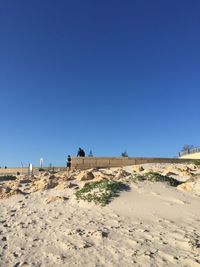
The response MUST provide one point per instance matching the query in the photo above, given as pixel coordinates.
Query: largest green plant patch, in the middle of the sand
(101, 192)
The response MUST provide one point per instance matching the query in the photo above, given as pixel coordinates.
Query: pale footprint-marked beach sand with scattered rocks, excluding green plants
(148, 224)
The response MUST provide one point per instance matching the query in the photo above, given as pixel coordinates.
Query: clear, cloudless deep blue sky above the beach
(104, 75)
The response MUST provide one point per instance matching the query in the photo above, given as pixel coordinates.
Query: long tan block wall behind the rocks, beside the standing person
(86, 163)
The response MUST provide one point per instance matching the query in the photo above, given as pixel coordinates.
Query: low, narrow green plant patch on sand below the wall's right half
(156, 177)
